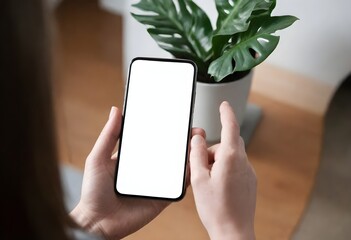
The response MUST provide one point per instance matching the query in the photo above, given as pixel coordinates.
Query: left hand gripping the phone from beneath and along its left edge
(99, 210)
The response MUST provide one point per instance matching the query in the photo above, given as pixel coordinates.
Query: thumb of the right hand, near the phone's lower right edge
(199, 167)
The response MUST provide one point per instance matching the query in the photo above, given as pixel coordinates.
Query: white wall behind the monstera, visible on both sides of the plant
(318, 45)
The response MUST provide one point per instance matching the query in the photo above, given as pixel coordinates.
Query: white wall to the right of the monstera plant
(319, 45)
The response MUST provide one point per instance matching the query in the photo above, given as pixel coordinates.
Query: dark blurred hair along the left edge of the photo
(31, 195)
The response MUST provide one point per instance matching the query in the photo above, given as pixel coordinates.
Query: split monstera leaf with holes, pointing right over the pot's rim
(252, 48)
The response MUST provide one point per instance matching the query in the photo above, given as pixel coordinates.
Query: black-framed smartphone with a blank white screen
(156, 128)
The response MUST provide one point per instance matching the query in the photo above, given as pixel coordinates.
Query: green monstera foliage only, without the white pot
(244, 35)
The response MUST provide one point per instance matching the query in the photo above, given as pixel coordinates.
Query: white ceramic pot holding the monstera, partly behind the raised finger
(209, 96)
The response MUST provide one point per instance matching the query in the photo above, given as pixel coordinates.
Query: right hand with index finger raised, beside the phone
(224, 182)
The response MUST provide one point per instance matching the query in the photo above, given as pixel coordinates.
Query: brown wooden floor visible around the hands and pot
(284, 150)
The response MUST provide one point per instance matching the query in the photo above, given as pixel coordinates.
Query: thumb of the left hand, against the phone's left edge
(108, 138)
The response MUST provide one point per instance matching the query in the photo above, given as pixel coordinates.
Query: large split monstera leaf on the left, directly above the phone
(185, 32)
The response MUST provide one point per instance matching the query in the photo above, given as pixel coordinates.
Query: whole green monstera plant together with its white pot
(243, 37)
